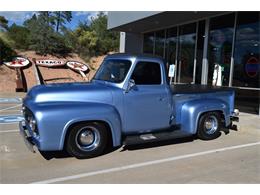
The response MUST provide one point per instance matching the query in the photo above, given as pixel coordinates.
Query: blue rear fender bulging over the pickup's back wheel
(192, 110)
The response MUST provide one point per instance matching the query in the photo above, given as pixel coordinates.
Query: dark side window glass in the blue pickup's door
(147, 73)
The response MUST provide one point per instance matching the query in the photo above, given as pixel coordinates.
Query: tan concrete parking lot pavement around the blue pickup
(232, 158)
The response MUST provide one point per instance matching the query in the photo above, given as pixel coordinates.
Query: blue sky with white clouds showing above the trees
(19, 17)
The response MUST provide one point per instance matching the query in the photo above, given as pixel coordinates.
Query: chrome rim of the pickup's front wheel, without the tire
(87, 138)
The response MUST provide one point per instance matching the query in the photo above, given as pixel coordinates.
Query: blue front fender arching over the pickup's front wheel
(54, 120)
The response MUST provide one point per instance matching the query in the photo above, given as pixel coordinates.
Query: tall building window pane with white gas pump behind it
(220, 48)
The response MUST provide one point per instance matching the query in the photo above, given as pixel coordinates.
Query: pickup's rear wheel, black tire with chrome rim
(209, 126)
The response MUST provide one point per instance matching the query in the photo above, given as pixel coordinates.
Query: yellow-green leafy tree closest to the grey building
(92, 39)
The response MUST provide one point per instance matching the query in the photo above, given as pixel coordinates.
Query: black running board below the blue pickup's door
(153, 137)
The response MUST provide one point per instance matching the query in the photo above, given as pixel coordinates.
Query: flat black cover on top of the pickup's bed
(191, 88)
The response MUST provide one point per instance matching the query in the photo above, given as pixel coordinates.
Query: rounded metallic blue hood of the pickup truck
(72, 92)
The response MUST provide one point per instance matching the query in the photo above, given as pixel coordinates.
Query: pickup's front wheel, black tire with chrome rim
(87, 140)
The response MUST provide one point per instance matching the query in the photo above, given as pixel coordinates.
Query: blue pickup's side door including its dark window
(147, 104)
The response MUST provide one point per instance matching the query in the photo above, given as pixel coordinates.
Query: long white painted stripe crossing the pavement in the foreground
(138, 165)
